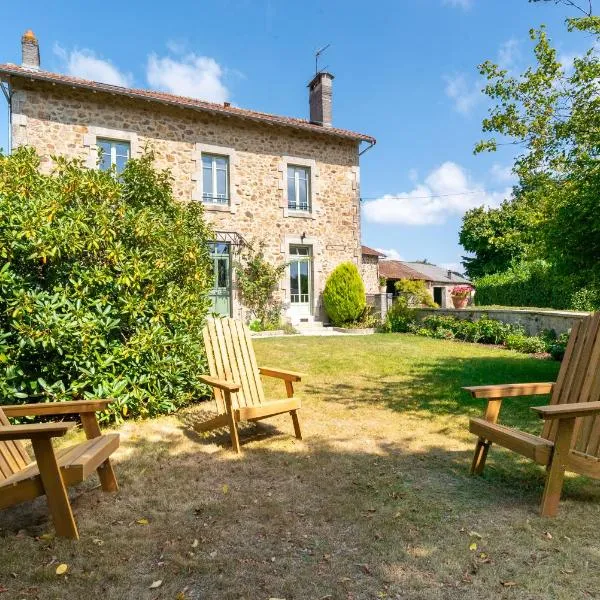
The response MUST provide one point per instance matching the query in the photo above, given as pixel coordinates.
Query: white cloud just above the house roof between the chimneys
(188, 75)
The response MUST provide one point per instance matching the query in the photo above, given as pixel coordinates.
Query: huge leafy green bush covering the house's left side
(103, 286)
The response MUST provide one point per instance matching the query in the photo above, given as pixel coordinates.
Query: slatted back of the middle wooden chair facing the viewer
(231, 357)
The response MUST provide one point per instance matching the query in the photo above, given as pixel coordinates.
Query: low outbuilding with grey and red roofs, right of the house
(439, 281)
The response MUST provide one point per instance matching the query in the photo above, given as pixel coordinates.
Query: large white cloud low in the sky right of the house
(447, 191)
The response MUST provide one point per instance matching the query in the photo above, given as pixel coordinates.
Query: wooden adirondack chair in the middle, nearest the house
(235, 379)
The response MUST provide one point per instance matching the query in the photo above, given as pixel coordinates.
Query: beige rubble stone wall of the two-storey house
(64, 121)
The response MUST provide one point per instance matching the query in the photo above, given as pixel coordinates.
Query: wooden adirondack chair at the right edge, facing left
(570, 439)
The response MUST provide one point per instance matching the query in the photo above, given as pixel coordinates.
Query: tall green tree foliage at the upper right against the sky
(551, 113)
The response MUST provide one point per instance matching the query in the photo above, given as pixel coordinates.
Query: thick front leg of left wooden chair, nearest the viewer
(54, 487)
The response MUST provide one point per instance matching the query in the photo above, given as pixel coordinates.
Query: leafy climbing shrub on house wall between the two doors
(257, 279)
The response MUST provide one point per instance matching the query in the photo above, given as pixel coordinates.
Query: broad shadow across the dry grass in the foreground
(325, 519)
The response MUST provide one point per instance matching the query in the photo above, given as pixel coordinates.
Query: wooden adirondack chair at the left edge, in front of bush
(52, 472)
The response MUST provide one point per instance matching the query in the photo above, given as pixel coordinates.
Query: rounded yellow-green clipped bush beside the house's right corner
(344, 295)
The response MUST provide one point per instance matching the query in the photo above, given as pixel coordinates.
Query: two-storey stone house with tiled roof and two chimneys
(292, 184)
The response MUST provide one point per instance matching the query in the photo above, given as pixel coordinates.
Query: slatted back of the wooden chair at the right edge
(579, 381)
